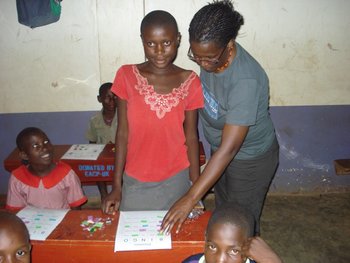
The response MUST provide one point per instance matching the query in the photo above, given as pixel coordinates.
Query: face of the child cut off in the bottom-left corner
(14, 245)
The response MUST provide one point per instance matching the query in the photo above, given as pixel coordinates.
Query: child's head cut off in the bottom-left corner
(14, 239)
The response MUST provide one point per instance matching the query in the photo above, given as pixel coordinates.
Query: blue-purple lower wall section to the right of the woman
(311, 138)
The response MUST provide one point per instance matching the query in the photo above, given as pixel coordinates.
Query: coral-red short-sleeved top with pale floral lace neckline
(156, 141)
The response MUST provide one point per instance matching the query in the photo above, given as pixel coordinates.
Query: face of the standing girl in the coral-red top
(160, 44)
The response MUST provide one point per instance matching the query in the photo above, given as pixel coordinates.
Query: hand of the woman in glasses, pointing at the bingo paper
(177, 214)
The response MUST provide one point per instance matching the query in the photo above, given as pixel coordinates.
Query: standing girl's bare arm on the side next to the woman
(191, 134)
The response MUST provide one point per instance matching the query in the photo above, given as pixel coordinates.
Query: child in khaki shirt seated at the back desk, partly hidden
(103, 126)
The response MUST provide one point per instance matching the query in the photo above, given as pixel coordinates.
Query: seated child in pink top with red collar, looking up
(42, 182)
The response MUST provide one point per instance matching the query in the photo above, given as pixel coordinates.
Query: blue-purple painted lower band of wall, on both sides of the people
(311, 137)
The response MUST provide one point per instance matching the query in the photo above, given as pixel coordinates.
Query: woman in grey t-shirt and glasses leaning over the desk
(235, 118)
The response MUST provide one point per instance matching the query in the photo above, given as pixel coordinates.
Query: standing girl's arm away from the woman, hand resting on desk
(111, 203)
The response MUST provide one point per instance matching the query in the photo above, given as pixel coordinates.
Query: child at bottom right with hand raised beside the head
(228, 238)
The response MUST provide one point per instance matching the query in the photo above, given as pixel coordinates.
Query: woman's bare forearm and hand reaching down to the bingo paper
(232, 139)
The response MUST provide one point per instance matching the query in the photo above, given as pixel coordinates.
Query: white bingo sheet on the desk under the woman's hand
(139, 230)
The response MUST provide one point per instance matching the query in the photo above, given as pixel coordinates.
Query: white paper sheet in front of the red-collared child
(41, 222)
